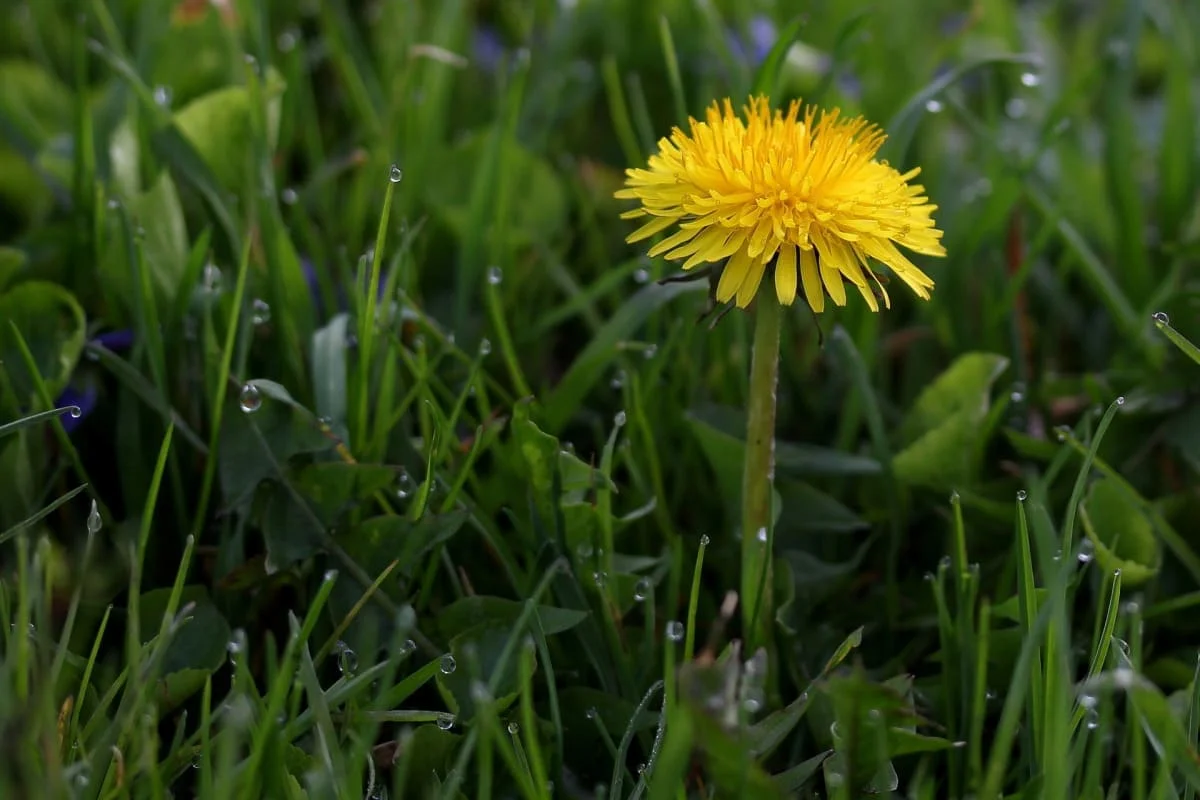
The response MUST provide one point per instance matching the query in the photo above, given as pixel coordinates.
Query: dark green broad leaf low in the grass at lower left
(195, 653)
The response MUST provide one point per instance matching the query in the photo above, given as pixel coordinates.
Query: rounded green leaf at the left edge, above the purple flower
(53, 327)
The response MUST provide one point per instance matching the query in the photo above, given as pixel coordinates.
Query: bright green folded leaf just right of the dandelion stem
(944, 428)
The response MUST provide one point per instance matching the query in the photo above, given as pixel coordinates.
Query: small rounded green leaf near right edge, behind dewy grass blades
(1121, 533)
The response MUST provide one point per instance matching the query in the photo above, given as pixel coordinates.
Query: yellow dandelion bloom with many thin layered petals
(801, 196)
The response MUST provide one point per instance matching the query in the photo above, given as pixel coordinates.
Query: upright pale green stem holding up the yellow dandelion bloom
(760, 474)
